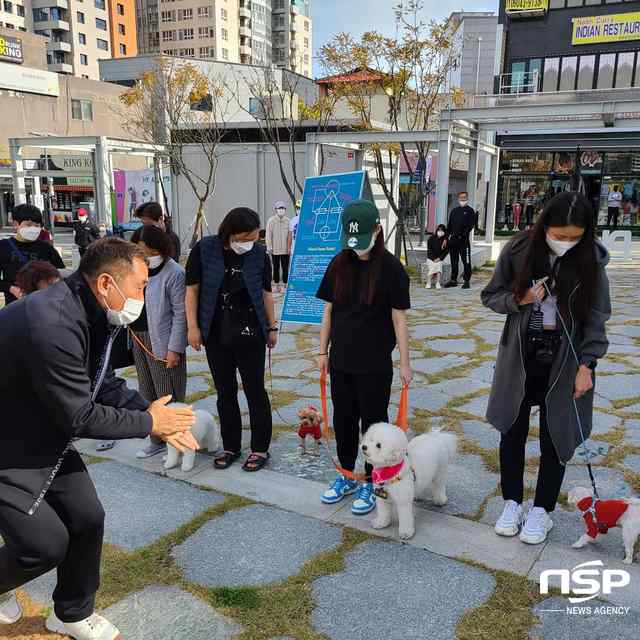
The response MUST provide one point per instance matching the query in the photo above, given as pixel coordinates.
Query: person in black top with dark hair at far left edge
(24, 247)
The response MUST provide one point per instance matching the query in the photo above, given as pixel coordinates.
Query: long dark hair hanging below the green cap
(345, 273)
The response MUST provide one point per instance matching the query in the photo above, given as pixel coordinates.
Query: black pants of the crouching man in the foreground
(65, 532)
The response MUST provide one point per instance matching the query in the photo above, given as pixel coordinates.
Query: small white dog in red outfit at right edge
(624, 513)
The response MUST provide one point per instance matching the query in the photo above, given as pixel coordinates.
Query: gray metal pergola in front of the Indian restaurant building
(541, 115)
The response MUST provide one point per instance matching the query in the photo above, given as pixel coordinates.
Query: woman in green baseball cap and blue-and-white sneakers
(367, 293)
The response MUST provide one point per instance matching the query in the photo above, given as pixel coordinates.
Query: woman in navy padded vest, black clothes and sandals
(230, 311)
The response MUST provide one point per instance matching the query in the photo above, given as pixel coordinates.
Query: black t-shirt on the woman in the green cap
(362, 336)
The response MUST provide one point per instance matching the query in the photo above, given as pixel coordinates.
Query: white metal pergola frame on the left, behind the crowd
(100, 147)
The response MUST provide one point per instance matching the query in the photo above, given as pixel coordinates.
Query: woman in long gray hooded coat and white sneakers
(547, 279)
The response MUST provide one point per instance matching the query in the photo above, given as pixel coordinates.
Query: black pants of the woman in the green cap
(359, 400)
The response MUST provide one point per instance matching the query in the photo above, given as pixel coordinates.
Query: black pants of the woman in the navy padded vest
(225, 362)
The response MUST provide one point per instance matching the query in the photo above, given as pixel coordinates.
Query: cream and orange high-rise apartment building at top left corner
(79, 32)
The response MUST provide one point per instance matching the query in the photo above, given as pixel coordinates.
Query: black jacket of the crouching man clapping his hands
(51, 343)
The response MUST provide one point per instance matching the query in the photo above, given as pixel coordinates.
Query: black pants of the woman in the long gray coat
(512, 446)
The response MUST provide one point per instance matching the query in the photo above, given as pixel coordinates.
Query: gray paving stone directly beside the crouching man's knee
(160, 505)
